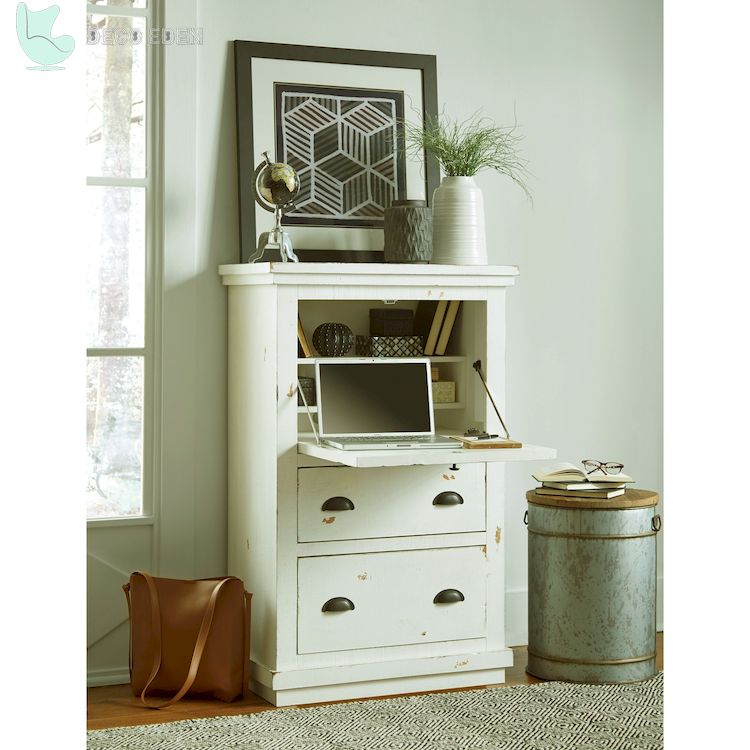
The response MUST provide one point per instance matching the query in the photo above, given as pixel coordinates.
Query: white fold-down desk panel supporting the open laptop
(430, 456)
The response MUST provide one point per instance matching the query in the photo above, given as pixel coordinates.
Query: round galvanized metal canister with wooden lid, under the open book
(592, 587)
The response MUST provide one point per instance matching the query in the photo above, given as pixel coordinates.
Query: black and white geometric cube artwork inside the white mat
(347, 147)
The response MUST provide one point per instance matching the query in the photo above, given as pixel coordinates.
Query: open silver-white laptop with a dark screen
(376, 403)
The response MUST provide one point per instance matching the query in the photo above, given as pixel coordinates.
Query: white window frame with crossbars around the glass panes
(152, 184)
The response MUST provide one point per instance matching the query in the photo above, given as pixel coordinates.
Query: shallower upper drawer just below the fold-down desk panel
(398, 501)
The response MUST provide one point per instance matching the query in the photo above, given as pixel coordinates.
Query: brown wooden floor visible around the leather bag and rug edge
(115, 706)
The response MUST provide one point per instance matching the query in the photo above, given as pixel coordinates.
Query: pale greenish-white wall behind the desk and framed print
(585, 324)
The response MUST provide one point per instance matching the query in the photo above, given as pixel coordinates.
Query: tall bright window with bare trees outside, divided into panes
(121, 240)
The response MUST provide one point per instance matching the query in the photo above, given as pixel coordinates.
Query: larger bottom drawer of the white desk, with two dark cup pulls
(388, 598)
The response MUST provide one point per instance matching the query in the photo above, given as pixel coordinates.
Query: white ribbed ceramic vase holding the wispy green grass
(458, 236)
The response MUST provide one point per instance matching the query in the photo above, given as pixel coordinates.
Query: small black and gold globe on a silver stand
(275, 186)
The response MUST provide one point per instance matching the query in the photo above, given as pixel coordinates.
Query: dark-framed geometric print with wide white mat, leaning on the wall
(336, 116)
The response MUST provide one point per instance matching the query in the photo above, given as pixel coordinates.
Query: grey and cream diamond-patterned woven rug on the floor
(546, 716)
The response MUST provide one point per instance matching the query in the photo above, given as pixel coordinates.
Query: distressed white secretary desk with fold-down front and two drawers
(372, 572)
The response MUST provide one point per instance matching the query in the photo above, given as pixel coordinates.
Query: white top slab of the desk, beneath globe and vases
(347, 273)
